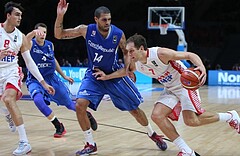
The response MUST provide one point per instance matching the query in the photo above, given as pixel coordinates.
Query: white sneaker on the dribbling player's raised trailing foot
(234, 121)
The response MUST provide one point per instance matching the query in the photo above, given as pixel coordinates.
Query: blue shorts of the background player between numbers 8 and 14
(62, 94)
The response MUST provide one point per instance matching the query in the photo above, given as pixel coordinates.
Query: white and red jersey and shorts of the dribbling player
(174, 95)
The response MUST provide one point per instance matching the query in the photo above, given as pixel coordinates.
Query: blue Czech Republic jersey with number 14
(102, 52)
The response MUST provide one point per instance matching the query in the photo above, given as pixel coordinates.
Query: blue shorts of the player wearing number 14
(123, 92)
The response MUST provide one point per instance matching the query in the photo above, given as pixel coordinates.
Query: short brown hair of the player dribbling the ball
(138, 41)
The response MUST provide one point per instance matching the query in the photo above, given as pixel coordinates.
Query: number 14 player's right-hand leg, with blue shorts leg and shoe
(126, 97)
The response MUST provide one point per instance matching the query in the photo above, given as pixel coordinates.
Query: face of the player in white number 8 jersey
(15, 17)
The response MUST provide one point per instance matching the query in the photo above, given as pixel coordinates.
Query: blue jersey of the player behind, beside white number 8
(43, 56)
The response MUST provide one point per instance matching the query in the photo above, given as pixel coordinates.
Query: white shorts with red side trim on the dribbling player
(188, 100)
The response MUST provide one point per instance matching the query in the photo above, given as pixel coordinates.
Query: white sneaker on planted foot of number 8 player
(23, 148)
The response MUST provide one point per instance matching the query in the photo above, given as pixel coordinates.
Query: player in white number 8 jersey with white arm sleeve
(12, 41)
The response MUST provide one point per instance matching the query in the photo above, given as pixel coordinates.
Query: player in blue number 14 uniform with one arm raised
(102, 41)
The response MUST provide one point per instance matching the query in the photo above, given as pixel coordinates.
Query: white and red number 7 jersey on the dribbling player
(166, 74)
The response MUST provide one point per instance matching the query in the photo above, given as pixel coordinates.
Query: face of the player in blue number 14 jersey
(103, 22)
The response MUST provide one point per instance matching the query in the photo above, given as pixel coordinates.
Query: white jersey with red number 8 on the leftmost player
(14, 42)
